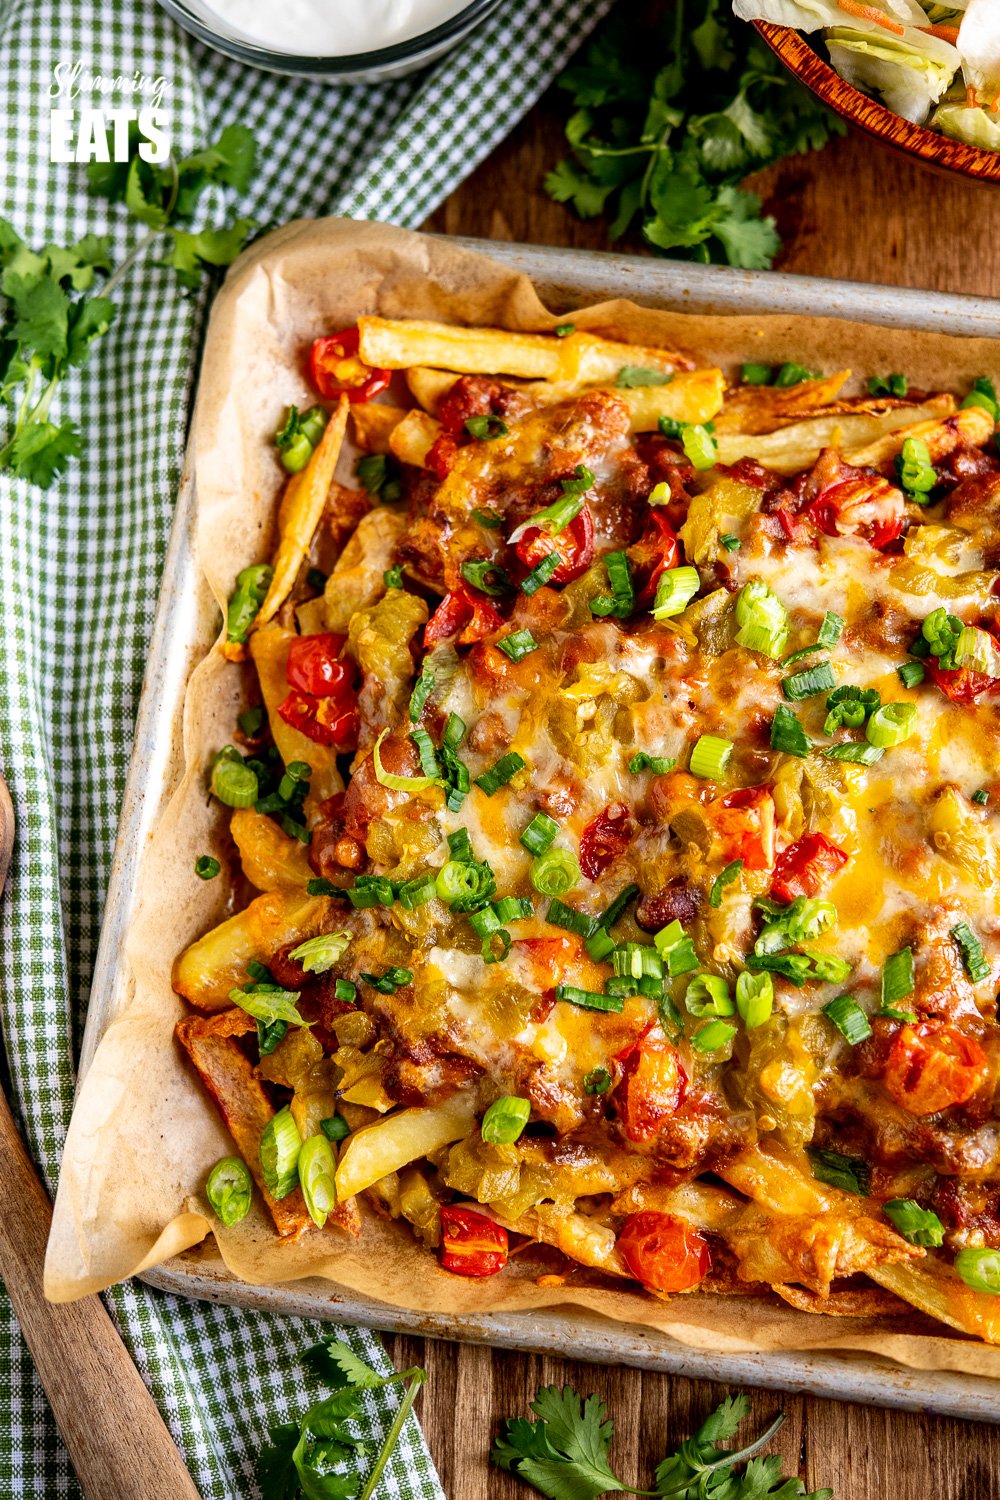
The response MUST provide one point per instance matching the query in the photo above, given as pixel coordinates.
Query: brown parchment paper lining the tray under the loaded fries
(145, 1135)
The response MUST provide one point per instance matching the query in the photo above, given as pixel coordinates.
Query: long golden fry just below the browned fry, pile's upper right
(798, 446)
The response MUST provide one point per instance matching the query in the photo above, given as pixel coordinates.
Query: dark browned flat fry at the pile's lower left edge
(230, 1079)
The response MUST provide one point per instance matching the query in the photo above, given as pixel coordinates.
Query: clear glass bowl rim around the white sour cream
(356, 68)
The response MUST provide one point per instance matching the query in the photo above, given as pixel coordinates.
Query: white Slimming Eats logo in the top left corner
(101, 134)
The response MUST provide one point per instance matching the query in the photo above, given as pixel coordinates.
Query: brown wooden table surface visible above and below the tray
(861, 214)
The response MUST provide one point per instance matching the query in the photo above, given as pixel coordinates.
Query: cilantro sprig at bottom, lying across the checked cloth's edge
(319, 1456)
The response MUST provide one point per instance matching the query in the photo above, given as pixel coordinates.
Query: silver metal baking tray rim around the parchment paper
(184, 631)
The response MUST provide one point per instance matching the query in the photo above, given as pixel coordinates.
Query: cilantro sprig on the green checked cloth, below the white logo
(53, 307)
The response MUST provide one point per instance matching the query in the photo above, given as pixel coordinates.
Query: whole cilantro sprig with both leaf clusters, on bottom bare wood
(566, 1456)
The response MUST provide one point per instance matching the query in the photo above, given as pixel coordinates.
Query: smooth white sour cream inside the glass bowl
(326, 28)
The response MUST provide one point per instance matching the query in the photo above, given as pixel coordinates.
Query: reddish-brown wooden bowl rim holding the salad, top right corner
(873, 118)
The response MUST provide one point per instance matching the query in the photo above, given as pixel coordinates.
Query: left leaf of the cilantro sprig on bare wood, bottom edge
(564, 1454)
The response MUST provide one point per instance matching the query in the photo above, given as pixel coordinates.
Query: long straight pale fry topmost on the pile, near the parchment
(581, 358)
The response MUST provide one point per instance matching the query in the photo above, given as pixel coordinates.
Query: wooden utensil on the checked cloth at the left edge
(115, 1435)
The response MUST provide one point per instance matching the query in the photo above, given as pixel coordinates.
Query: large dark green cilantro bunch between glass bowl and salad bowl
(669, 146)
